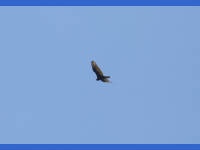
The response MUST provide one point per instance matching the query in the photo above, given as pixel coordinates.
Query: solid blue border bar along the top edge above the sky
(99, 2)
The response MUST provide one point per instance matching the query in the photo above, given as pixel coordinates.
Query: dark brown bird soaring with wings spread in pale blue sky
(99, 73)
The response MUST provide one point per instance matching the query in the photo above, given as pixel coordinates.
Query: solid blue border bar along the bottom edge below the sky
(99, 146)
